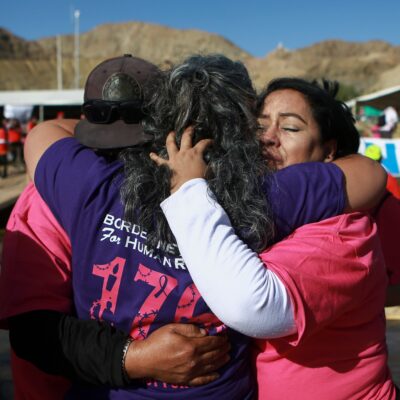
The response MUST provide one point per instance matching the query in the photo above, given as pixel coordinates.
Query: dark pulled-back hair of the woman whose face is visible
(333, 117)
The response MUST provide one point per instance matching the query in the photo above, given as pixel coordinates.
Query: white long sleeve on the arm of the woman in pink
(233, 281)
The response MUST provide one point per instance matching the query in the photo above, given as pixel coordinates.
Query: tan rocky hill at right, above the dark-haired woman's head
(360, 65)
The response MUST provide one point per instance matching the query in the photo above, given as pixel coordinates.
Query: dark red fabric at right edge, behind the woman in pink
(388, 221)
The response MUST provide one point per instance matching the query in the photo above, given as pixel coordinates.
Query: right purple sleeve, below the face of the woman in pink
(305, 193)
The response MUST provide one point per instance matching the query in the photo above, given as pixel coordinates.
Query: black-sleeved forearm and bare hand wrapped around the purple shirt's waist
(94, 352)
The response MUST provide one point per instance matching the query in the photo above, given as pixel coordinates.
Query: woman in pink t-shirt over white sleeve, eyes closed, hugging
(333, 270)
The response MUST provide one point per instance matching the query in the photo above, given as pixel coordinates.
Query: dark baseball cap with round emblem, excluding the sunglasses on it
(119, 79)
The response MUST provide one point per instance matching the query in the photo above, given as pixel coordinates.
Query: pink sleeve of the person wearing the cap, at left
(36, 270)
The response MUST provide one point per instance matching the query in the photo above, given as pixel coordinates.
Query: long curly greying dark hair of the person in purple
(215, 96)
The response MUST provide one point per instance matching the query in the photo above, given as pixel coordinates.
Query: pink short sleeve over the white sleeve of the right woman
(324, 265)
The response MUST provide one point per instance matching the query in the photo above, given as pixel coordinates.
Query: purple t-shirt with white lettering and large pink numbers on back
(118, 279)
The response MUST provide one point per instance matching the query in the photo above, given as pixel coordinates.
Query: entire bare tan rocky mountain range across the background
(26, 64)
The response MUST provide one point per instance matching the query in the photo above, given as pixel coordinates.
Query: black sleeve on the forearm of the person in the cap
(59, 344)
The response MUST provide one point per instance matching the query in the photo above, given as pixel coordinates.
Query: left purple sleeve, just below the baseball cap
(71, 178)
